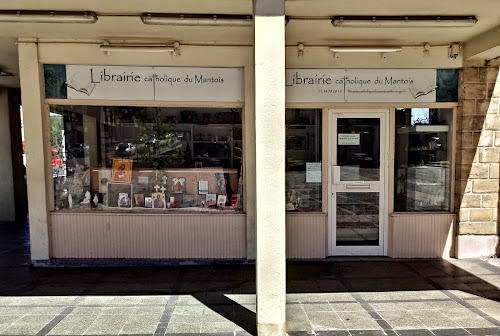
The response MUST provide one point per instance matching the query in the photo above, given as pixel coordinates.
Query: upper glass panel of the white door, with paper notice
(358, 149)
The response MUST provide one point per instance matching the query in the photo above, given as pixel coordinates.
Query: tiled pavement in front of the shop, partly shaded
(343, 297)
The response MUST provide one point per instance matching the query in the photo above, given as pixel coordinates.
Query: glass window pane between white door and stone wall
(422, 159)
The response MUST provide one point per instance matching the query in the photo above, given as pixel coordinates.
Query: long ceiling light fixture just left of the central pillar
(198, 20)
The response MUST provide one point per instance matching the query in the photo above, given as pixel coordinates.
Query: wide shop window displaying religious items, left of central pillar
(146, 158)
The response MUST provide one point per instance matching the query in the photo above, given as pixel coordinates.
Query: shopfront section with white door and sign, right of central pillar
(387, 141)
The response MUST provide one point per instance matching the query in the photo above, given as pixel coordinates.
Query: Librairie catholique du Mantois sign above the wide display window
(145, 83)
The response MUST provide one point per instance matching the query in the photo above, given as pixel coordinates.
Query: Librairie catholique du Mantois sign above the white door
(371, 85)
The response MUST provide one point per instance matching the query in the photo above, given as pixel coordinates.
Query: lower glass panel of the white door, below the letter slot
(357, 219)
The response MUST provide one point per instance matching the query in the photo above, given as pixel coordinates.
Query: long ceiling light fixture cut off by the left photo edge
(47, 17)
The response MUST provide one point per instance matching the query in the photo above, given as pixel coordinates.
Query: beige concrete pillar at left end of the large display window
(37, 149)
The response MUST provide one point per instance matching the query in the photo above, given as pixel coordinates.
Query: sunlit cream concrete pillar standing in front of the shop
(269, 16)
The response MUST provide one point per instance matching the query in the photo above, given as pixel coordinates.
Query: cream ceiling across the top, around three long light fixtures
(119, 20)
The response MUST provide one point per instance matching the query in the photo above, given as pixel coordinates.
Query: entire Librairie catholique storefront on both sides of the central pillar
(154, 157)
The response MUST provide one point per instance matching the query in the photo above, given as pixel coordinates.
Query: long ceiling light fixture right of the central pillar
(404, 21)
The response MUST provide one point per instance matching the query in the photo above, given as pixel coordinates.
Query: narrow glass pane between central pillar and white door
(303, 160)
